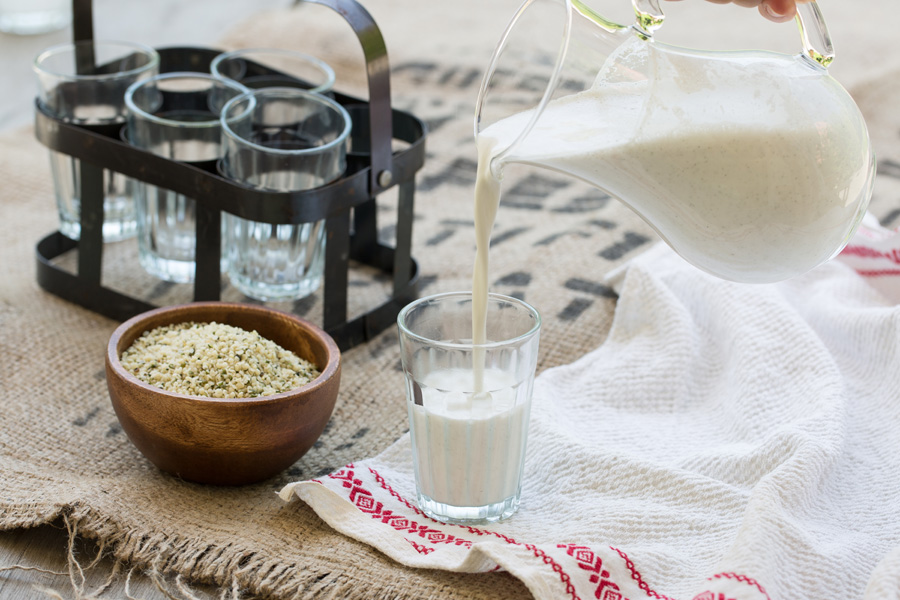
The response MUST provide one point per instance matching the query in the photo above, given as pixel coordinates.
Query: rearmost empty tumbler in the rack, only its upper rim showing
(272, 67)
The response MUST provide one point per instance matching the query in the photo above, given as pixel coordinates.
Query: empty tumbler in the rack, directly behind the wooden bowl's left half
(175, 115)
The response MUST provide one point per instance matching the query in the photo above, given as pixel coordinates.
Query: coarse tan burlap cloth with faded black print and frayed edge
(62, 452)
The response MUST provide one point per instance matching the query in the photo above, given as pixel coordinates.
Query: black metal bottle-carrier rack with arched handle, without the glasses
(370, 172)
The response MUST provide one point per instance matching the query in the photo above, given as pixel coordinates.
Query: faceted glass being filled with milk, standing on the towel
(468, 403)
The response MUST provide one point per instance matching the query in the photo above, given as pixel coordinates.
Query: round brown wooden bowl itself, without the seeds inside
(225, 441)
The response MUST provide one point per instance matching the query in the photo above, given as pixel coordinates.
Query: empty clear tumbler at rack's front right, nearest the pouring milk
(280, 139)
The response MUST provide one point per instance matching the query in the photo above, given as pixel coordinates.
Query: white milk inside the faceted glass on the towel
(469, 448)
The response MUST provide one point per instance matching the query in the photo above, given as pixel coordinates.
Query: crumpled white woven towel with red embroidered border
(726, 442)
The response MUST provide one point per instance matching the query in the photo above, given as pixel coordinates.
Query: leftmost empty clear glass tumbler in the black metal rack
(84, 83)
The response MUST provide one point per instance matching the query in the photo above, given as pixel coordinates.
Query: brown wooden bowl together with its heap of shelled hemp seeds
(222, 393)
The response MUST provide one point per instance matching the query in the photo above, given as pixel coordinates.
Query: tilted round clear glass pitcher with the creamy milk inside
(754, 166)
